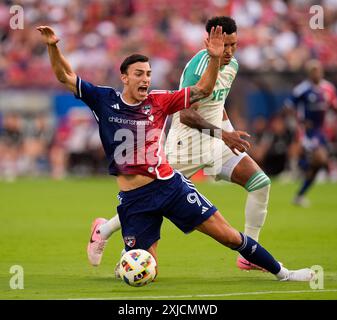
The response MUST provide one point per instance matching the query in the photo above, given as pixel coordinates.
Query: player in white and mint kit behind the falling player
(205, 139)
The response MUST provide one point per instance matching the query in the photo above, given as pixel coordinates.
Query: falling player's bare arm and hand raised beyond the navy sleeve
(60, 65)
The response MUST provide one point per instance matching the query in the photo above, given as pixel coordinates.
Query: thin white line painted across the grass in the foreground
(233, 294)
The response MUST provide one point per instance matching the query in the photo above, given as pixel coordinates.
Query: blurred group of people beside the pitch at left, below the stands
(32, 144)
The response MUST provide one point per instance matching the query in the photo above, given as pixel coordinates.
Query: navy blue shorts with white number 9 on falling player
(141, 210)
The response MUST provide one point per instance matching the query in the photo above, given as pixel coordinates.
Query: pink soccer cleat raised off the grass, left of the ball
(96, 244)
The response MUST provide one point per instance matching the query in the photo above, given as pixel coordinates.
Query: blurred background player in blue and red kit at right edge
(310, 100)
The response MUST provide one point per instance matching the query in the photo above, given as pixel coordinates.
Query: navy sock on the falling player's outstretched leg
(256, 254)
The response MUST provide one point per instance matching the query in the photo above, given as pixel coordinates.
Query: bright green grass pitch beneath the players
(45, 227)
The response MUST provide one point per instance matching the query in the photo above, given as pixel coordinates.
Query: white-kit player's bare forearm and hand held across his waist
(233, 139)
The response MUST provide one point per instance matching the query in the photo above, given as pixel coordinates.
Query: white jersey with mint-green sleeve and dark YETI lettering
(185, 144)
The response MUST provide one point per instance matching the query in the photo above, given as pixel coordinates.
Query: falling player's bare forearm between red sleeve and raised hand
(204, 87)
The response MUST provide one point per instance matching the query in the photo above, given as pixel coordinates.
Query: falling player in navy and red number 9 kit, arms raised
(131, 126)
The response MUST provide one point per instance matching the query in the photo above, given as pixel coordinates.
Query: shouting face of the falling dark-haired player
(137, 80)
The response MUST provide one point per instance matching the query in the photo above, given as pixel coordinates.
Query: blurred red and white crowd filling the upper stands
(96, 35)
